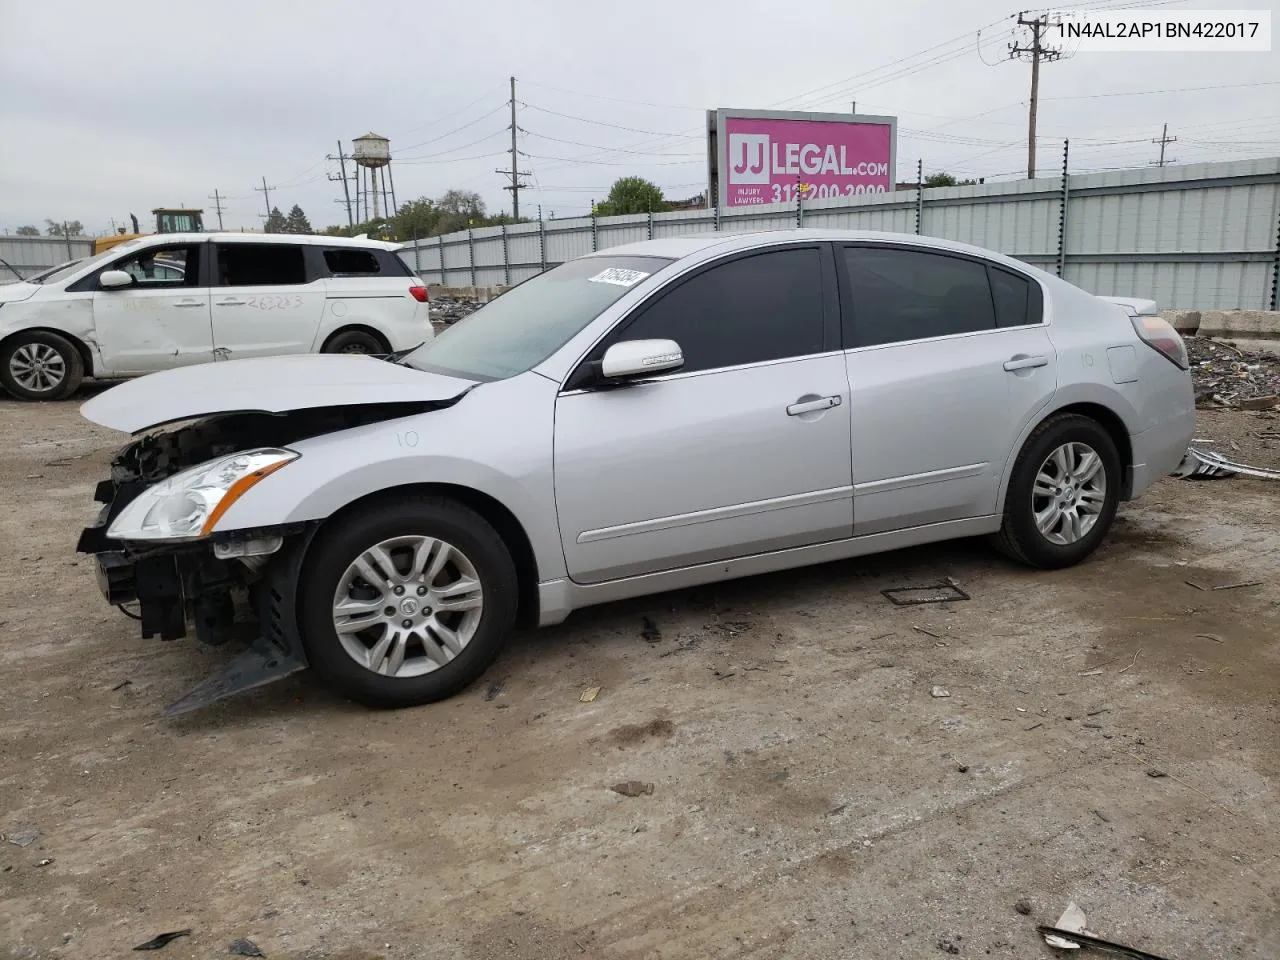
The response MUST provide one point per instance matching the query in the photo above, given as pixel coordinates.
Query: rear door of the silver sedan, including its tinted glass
(940, 390)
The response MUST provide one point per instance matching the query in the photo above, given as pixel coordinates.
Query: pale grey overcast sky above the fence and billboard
(116, 109)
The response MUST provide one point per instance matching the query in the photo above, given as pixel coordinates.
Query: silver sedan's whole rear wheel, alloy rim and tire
(1063, 493)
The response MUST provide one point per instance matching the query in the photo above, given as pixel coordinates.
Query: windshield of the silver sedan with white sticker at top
(531, 322)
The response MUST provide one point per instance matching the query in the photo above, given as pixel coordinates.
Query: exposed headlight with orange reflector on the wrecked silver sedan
(189, 505)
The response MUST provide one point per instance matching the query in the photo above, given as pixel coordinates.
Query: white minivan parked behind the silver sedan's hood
(180, 299)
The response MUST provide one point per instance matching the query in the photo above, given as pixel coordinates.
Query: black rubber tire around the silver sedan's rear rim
(1020, 538)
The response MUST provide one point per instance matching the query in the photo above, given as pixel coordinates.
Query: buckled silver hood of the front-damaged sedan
(267, 385)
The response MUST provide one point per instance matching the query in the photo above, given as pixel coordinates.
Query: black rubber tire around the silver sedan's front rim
(427, 516)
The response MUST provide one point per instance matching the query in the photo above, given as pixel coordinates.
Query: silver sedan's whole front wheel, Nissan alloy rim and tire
(406, 604)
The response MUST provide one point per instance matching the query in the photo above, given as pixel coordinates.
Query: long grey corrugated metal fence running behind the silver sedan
(1203, 236)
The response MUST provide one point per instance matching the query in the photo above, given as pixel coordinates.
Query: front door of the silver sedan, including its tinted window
(744, 450)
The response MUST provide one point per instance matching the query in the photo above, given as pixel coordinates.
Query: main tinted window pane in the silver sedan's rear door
(907, 295)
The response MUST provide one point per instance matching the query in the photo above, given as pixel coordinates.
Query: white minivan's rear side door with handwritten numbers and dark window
(267, 301)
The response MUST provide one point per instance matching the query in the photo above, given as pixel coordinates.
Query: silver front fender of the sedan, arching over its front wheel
(505, 431)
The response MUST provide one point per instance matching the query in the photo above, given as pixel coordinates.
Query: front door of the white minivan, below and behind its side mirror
(162, 321)
